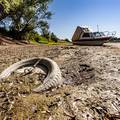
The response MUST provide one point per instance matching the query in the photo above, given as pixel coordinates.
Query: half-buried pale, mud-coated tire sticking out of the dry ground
(53, 79)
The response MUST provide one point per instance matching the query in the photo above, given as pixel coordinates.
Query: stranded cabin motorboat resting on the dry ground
(83, 36)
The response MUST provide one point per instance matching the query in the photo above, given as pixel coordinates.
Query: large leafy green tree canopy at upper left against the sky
(21, 17)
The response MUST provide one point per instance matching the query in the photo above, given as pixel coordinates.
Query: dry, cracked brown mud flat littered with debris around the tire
(90, 91)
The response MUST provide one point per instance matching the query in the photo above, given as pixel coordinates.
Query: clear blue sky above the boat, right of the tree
(68, 14)
